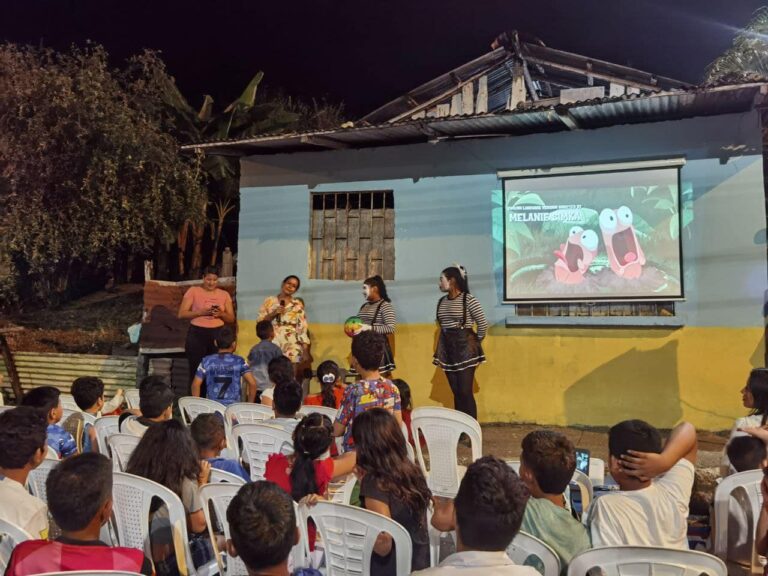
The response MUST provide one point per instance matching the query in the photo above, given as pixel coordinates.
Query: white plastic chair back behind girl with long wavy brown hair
(349, 534)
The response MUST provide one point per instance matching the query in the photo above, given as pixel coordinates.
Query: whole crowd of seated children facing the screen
(649, 508)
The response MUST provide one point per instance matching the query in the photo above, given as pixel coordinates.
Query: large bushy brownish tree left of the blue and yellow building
(87, 171)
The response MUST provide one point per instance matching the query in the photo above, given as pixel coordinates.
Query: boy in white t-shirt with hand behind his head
(652, 507)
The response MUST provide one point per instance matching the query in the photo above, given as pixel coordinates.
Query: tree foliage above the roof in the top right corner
(747, 56)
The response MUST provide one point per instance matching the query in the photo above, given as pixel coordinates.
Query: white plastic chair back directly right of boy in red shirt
(132, 498)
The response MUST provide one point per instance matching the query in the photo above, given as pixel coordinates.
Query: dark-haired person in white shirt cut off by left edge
(23, 432)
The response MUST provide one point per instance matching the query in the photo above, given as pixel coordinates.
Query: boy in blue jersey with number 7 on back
(223, 371)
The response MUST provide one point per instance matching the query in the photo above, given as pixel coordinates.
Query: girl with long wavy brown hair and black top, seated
(391, 485)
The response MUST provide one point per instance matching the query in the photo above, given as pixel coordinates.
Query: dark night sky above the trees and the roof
(366, 52)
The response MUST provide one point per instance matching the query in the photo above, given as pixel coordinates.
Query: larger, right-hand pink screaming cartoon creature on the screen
(624, 252)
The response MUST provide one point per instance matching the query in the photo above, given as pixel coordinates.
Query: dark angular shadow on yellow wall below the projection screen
(611, 393)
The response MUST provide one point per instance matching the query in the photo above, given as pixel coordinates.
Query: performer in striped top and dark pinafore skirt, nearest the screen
(458, 347)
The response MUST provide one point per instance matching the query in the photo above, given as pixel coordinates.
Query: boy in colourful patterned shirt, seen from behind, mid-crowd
(371, 391)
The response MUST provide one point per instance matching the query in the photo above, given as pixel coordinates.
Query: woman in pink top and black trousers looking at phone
(208, 308)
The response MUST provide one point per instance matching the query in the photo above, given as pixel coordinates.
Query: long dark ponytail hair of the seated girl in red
(311, 439)
